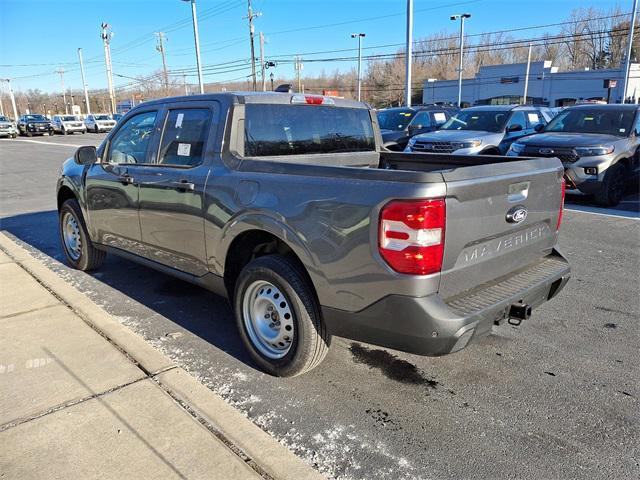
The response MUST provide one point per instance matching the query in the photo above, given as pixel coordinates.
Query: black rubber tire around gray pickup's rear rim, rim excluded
(311, 340)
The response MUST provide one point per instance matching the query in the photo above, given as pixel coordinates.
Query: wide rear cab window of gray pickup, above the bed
(306, 129)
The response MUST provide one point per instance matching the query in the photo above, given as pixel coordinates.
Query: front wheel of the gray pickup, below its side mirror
(76, 244)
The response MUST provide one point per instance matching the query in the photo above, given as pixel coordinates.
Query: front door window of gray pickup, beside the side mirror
(129, 144)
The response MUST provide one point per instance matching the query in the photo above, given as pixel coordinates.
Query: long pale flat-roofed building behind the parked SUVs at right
(504, 84)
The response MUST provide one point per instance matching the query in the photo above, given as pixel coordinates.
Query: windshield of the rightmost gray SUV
(614, 121)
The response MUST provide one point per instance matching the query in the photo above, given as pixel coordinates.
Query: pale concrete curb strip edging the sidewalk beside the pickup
(256, 445)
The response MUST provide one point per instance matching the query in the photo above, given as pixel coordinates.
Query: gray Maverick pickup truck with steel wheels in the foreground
(288, 205)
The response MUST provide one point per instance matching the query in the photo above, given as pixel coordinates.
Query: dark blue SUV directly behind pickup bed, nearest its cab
(398, 125)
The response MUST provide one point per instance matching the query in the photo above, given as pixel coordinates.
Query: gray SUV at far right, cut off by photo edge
(597, 144)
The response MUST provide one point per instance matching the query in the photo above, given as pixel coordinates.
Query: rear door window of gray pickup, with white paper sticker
(185, 133)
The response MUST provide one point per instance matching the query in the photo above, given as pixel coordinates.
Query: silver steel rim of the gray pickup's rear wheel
(268, 319)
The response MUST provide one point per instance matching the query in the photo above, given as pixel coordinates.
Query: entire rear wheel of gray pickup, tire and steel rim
(279, 318)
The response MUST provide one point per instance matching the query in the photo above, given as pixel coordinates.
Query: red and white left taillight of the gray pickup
(411, 238)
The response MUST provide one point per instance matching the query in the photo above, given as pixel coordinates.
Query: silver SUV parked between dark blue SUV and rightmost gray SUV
(487, 130)
